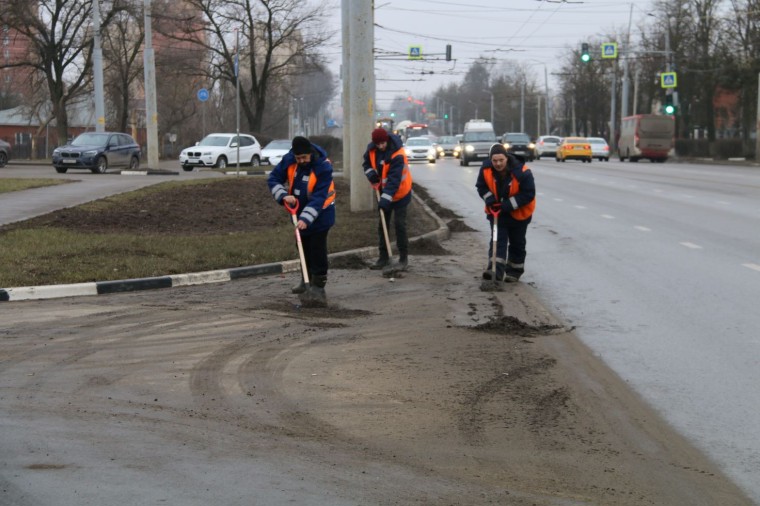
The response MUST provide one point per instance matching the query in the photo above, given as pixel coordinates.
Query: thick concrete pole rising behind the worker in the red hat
(361, 99)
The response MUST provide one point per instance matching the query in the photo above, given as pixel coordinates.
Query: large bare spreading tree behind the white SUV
(278, 40)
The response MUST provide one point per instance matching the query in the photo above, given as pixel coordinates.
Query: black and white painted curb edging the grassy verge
(196, 278)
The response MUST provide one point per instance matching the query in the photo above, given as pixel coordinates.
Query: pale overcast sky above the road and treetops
(536, 32)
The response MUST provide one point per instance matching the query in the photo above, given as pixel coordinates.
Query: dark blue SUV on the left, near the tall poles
(98, 152)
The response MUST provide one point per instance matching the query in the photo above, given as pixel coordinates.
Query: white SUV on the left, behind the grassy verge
(220, 150)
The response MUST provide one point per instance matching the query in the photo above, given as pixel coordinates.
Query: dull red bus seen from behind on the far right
(646, 136)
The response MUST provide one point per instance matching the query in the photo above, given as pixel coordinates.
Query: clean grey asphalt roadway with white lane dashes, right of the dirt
(658, 267)
